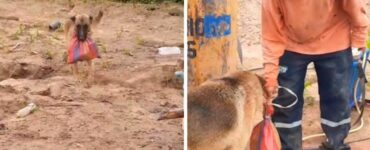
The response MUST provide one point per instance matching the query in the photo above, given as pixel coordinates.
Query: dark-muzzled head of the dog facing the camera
(82, 25)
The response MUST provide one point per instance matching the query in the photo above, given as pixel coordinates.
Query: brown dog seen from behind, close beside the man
(222, 112)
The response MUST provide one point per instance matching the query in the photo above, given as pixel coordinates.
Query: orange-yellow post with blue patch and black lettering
(212, 39)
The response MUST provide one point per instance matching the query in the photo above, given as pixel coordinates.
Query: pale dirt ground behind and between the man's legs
(249, 33)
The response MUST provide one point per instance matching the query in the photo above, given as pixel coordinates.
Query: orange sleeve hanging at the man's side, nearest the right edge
(356, 12)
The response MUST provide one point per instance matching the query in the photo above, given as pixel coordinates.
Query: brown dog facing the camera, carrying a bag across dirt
(81, 24)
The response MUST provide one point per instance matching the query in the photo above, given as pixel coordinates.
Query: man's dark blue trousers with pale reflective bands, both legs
(333, 73)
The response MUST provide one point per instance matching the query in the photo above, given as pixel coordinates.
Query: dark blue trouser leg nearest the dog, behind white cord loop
(293, 67)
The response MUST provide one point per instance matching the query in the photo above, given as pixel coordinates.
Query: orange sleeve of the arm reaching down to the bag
(273, 40)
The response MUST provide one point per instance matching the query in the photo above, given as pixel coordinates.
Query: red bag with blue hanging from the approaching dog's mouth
(81, 50)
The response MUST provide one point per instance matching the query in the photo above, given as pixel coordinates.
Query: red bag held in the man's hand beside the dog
(264, 135)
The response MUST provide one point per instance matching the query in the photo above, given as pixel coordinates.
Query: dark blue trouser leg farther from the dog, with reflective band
(334, 72)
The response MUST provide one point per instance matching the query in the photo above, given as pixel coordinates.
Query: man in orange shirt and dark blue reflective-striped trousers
(298, 32)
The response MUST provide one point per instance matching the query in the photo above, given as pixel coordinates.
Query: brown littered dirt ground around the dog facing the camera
(133, 83)
